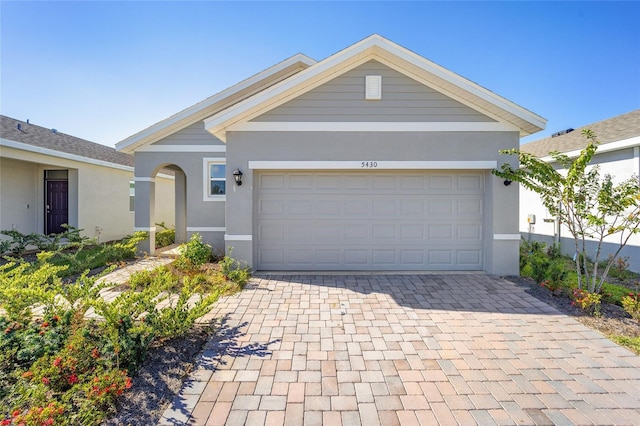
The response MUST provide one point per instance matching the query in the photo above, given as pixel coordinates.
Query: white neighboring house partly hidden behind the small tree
(618, 155)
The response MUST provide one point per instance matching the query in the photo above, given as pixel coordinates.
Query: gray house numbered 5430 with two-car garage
(371, 159)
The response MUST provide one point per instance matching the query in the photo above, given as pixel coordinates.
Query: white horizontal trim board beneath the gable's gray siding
(363, 126)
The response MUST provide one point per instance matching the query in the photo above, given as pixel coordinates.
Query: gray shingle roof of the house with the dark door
(47, 141)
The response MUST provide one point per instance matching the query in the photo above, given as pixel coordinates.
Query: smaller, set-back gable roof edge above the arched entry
(217, 102)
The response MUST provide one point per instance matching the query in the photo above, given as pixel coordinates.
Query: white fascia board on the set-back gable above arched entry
(164, 126)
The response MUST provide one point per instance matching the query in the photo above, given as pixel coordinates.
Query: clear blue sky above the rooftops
(104, 70)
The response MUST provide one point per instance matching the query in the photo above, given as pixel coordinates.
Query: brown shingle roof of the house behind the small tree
(615, 129)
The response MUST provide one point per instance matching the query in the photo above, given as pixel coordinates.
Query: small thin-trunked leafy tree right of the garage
(590, 206)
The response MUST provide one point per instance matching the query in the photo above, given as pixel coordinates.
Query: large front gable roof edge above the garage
(396, 57)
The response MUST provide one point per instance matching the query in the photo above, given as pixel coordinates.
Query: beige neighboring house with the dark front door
(48, 178)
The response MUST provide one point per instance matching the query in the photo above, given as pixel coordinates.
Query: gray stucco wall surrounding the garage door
(501, 206)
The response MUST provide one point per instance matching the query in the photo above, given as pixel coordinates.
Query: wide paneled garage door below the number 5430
(382, 220)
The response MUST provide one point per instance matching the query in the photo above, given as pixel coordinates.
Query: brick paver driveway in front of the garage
(404, 349)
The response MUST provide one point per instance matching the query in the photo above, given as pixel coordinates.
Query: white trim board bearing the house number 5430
(372, 164)
